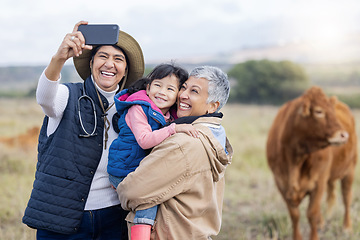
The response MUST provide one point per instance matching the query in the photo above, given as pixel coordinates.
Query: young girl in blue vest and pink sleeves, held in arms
(144, 109)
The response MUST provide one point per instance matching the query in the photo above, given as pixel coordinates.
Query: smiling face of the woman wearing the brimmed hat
(108, 67)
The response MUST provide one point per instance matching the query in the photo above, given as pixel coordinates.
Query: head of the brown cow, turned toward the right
(316, 122)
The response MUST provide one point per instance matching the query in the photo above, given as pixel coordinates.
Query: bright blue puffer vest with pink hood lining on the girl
(125, 153)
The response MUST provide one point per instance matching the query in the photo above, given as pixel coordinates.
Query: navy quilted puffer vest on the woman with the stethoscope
(66, 165)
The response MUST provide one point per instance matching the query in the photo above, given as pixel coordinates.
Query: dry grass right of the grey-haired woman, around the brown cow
(253, 208)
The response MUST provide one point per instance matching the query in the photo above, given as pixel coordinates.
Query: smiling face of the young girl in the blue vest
(163, 92)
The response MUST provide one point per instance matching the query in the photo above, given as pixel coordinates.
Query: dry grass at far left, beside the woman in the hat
(17, 166)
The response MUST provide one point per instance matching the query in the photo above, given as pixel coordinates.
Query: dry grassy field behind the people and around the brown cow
(253, 208)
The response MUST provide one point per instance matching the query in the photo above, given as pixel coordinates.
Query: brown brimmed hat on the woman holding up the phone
(134, 55)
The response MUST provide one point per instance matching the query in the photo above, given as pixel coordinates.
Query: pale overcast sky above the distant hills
(31, 31)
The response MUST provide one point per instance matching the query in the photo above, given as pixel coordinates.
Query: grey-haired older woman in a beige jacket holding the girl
(185, 175)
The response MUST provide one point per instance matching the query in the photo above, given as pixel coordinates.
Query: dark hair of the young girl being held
(159, 72)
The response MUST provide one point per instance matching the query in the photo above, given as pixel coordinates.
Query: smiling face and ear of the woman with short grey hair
(192, 98)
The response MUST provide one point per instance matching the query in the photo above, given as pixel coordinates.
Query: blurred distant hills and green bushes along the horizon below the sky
(252, 82)
